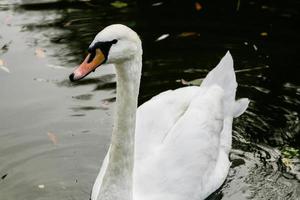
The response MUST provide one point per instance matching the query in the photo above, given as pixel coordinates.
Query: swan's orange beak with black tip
(88, 66)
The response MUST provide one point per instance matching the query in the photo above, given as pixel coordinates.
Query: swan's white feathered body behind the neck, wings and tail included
(183, 138)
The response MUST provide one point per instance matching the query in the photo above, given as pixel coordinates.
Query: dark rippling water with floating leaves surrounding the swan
(54, 134)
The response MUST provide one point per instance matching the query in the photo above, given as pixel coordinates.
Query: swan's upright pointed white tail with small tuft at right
(223, 75)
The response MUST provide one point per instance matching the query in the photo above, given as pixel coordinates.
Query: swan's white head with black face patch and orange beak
(114, 44)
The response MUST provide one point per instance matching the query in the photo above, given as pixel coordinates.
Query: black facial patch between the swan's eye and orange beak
(103, 46)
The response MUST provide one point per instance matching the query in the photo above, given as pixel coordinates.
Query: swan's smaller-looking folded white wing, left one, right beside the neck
(156, 117)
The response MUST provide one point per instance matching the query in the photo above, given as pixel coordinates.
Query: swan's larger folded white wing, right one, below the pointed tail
(188, 159)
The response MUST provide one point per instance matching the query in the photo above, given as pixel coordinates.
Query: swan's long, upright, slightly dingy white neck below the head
(117, 181)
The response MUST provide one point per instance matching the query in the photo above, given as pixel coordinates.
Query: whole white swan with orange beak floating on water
(176, 145)
